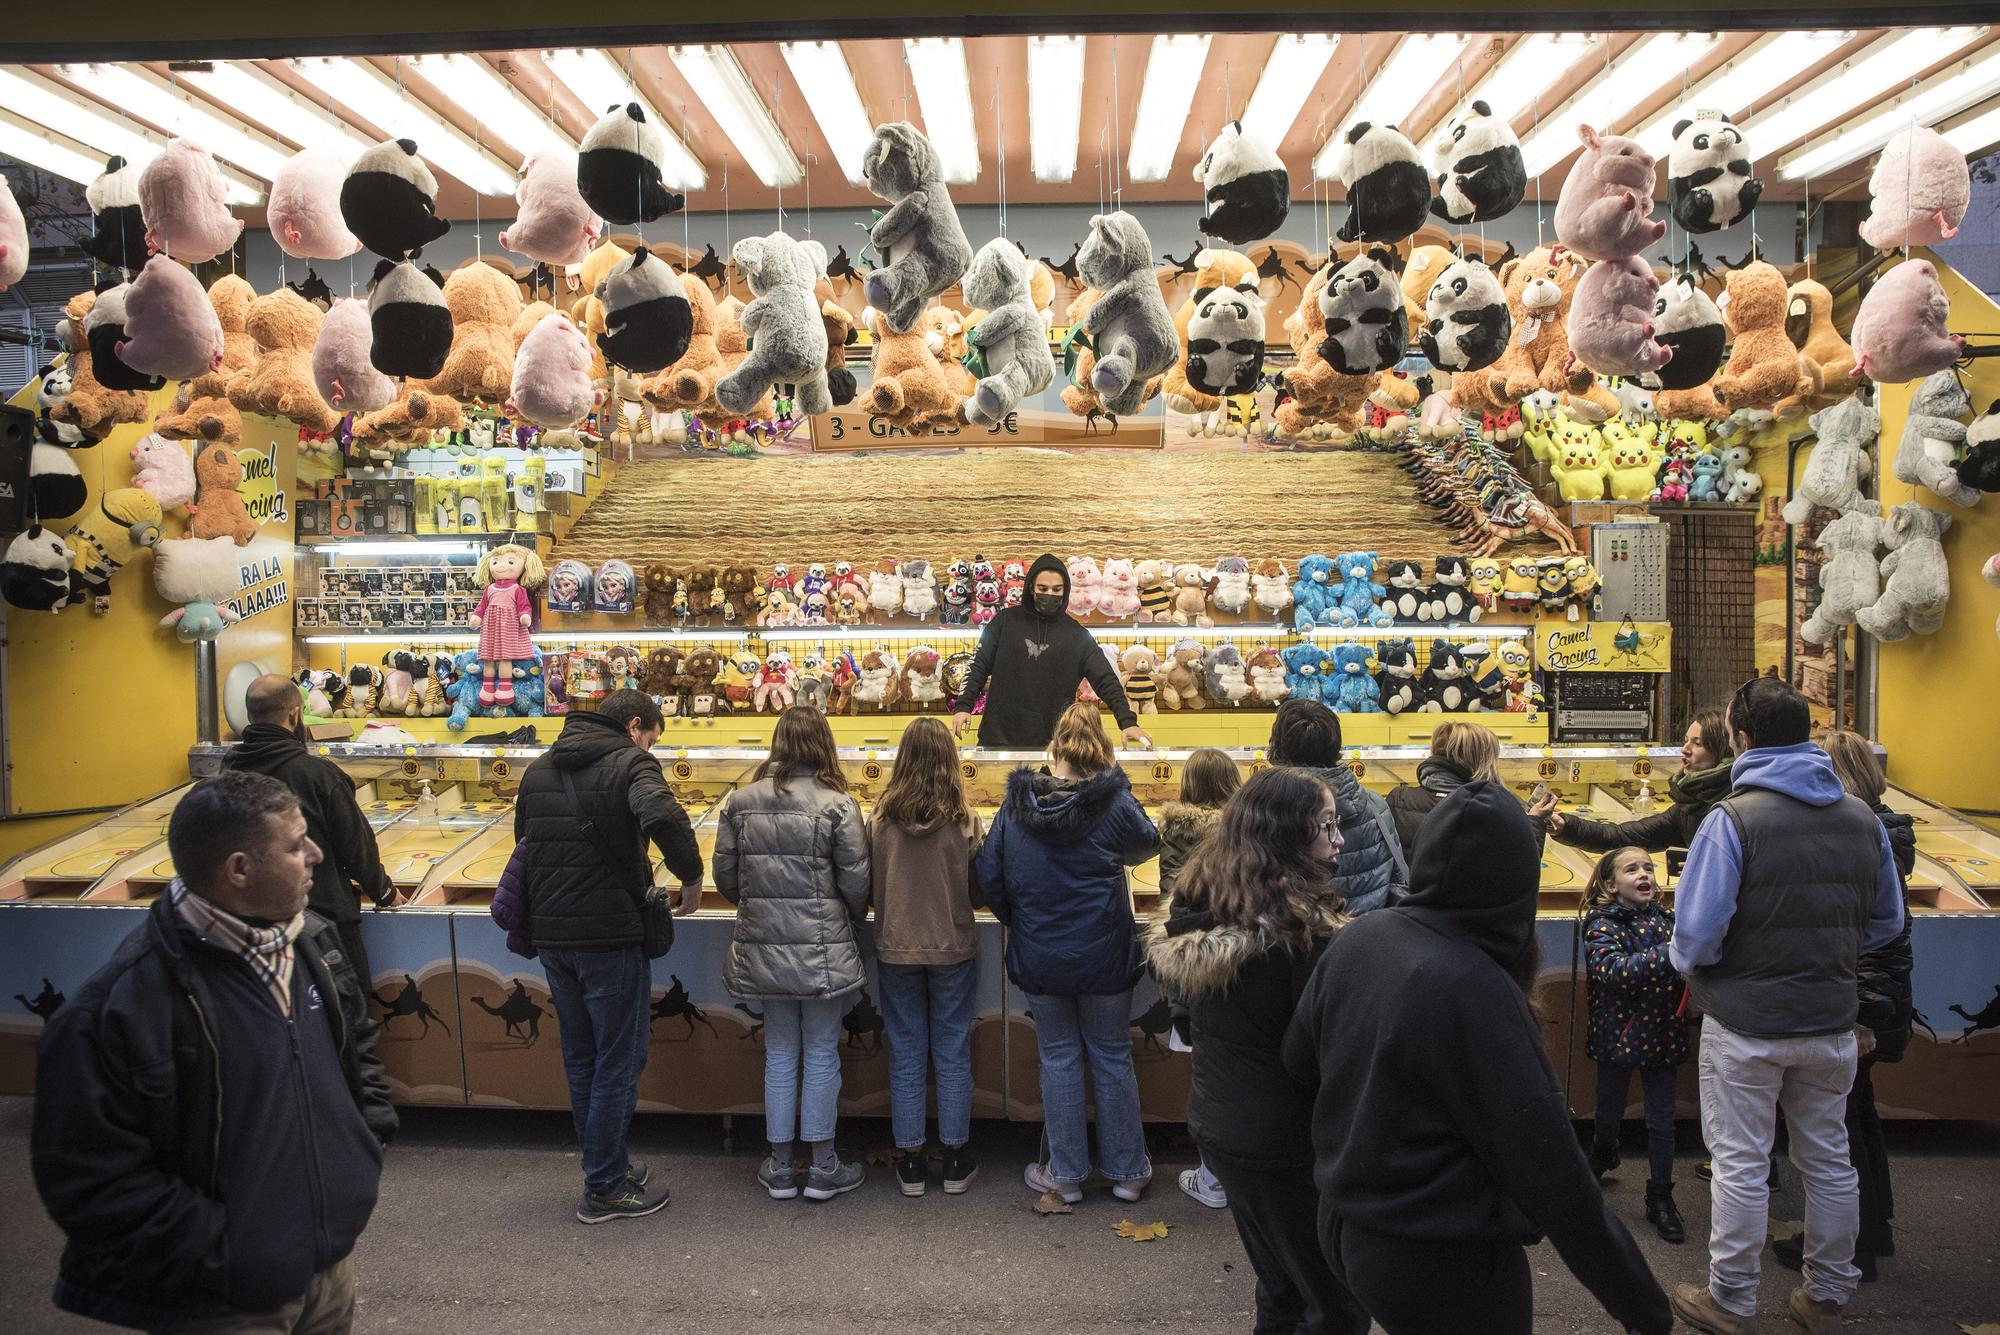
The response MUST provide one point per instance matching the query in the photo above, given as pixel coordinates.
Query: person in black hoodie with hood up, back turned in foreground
(1441, 1136)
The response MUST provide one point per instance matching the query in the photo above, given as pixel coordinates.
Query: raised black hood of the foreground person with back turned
(1477, 872)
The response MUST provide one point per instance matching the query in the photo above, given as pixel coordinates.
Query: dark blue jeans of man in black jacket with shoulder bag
(605, 1010)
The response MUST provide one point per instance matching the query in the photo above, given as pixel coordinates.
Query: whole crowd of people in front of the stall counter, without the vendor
(1371, 1092)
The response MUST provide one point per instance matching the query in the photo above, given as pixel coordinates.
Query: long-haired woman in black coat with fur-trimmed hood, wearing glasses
(1267, 912)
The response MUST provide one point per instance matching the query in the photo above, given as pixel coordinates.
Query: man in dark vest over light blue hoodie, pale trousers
(1789, 882)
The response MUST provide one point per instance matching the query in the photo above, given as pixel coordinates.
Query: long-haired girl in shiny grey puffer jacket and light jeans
(793, 858)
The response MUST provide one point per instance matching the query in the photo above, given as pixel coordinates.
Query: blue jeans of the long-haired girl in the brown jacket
(929, 1014)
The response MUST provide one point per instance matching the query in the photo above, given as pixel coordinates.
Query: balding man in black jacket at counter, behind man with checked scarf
(349, 866)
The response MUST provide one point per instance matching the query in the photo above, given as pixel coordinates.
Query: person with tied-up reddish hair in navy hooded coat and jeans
(1055, 872)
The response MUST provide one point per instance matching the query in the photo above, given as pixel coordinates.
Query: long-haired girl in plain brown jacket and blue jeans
(921, 848)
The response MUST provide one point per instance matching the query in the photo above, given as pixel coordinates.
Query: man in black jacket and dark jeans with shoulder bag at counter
(587, 812)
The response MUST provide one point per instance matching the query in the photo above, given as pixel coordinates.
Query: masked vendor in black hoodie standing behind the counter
(1033, 659)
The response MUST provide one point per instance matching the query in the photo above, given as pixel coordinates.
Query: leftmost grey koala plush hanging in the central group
(785, 327)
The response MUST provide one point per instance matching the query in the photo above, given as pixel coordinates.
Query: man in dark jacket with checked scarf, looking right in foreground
(211, 1114)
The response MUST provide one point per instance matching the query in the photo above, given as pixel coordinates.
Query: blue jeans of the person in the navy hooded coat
(1069, 1032)
